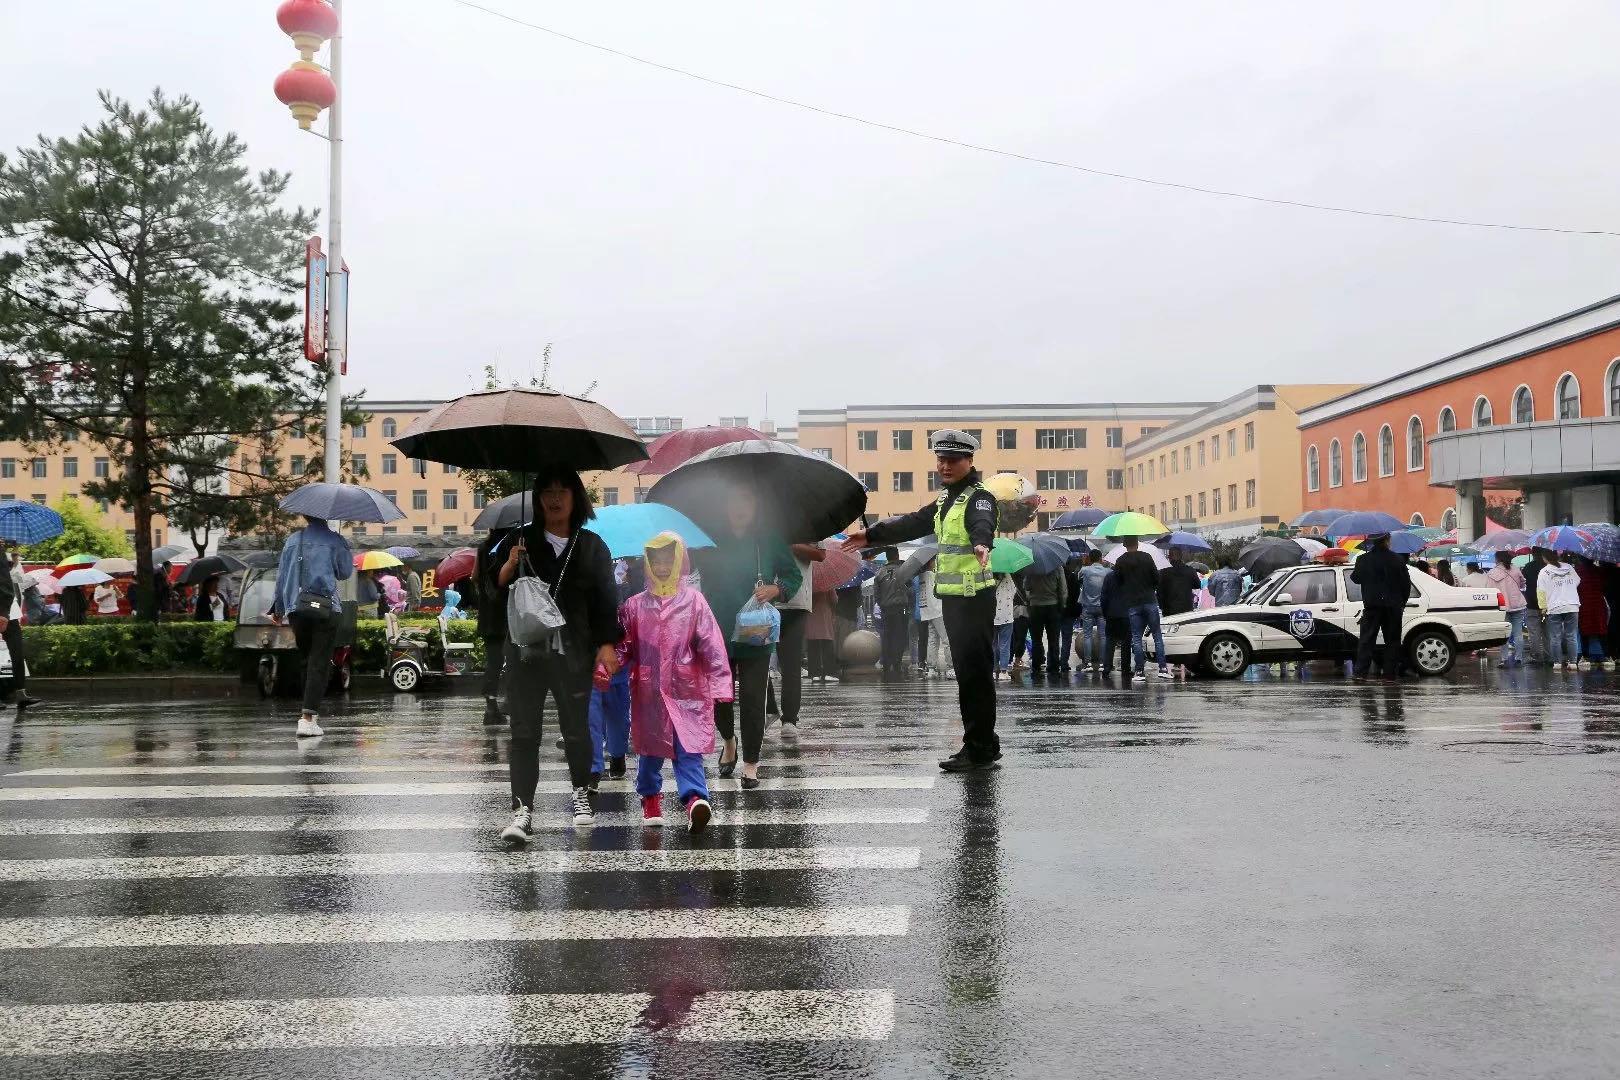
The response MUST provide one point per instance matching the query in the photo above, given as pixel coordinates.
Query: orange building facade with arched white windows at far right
(1535, 414)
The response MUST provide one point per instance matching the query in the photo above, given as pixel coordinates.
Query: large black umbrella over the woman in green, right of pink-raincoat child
(803, 496)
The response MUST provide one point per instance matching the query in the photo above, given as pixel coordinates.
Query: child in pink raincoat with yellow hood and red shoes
(676, 655)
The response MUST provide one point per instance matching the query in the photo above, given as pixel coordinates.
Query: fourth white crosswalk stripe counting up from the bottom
(445, 823)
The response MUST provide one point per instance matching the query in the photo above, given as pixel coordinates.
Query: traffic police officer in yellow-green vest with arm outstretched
(963, 519)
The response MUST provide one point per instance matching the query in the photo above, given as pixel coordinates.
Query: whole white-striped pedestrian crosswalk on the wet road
(344, 901)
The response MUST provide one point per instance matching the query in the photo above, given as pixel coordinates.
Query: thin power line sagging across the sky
(1031, 158)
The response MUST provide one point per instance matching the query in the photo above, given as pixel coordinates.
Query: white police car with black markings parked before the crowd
(1315, 613)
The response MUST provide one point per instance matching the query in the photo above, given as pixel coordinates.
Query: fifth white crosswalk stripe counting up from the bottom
(450, 788)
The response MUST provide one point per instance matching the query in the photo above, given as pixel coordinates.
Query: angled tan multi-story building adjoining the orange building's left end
(1229, 470)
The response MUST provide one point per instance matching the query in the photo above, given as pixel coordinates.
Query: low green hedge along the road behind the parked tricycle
(127, 647)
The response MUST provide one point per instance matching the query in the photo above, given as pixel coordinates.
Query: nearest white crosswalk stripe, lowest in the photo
(441, 1021)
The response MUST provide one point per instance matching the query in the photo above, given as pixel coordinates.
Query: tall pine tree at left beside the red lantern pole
(148, 304)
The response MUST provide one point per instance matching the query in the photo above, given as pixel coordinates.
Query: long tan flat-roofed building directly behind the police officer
(1072, 453)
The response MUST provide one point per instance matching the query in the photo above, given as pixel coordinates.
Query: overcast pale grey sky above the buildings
(697, 250)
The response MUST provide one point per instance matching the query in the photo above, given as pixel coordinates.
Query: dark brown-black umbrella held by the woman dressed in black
(522, 432)
